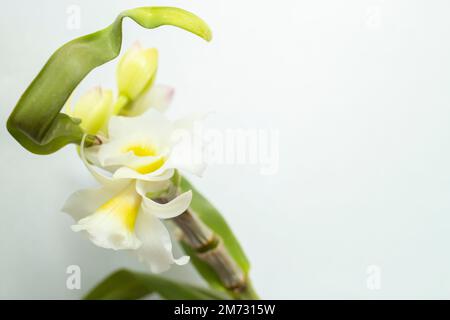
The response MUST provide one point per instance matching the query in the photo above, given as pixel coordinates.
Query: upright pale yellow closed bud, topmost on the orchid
(136, 71)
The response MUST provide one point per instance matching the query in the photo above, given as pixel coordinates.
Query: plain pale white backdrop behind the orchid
(359, 93)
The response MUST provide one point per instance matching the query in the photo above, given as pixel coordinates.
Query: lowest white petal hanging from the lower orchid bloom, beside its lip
(156, 248)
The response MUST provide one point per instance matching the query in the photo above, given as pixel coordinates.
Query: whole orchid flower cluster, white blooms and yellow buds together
(135, 164)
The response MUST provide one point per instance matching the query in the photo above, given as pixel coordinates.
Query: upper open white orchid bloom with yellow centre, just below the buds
(149, 148)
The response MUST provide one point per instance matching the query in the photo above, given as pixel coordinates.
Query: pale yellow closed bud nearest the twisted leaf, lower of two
(93, 109)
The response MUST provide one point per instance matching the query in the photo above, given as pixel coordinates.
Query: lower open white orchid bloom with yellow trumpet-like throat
(120, 216)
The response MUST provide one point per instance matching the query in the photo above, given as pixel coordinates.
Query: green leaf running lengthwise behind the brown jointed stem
(214, 220)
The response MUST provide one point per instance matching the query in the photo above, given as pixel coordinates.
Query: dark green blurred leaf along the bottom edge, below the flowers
(128, 285)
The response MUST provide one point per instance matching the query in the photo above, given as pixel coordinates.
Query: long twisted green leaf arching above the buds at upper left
(36, 122)
